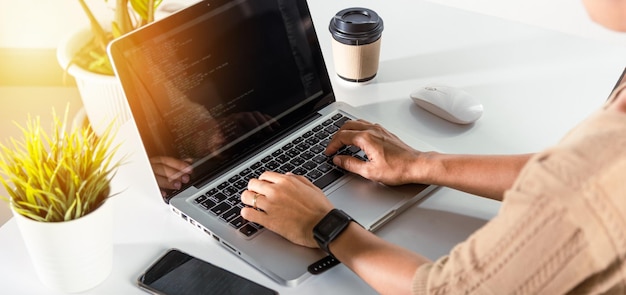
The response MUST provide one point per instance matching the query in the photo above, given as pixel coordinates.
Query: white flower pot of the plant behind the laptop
(102, 95)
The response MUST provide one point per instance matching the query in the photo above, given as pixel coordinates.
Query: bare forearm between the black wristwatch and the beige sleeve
(386, 267)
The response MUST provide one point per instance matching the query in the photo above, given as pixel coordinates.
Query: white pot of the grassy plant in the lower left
(71, 256)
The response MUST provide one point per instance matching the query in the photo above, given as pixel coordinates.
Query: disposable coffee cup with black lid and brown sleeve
(356, 41)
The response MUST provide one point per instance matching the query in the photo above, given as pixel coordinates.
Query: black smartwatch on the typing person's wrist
(330, 227)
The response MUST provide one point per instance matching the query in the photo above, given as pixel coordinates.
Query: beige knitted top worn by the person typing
(561, 228)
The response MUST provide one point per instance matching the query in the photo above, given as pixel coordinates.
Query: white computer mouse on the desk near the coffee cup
(452, 104)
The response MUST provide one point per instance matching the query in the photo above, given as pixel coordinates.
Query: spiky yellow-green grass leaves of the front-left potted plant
(59, 176)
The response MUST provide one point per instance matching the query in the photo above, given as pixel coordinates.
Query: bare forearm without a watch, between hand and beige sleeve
(484, 175)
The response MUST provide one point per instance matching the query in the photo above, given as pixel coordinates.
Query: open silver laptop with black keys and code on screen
(235, 88)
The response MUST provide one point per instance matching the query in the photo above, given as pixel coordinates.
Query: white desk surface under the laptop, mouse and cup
(534, 84)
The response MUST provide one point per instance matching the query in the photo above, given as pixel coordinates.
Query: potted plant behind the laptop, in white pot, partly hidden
(83, 55)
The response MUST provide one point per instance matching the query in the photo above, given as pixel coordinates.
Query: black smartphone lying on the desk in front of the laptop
(178, 273)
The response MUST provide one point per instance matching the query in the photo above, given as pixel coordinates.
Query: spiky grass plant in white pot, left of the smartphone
(58, 184)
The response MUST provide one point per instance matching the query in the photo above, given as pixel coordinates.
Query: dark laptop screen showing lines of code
(213, 82)
